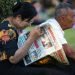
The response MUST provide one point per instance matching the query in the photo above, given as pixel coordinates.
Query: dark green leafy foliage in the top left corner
(6, 6)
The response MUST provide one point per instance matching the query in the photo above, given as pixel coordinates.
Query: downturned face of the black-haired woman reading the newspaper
(21, 24)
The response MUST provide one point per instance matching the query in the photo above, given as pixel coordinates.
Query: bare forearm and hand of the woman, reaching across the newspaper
(21, 52)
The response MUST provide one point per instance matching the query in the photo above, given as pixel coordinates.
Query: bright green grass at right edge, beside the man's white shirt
(70, 36)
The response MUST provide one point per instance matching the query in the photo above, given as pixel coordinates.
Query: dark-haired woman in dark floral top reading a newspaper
(10, 56)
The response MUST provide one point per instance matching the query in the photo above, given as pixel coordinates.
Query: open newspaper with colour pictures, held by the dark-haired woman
(47, 44)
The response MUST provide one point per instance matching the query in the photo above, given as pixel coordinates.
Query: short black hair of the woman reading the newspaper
(25, 9)
